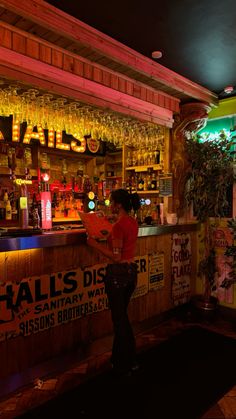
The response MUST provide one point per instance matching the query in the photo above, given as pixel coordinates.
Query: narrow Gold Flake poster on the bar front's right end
(181, 267)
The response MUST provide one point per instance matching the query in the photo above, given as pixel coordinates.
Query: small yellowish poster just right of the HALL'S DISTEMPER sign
(156, 271)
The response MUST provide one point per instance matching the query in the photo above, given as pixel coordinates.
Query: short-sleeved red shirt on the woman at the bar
(125, 231)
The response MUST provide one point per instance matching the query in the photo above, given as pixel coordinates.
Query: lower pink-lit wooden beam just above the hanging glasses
(44, 76)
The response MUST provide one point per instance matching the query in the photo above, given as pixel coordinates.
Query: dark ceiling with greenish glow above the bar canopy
(197, 38)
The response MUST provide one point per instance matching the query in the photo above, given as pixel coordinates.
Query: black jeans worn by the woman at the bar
(120, 282)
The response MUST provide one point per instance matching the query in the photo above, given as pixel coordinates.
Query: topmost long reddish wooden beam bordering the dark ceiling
(55, 20)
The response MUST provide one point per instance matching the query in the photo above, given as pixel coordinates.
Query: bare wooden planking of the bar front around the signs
(19, 353)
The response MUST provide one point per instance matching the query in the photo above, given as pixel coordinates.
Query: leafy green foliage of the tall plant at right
(212, 172)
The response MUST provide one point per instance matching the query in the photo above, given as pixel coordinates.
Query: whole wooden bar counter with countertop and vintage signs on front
(53, 299)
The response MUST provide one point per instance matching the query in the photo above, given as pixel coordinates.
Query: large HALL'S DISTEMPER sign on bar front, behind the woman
(41, 302)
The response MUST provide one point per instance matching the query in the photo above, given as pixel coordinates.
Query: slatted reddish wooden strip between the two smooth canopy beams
(19, 41)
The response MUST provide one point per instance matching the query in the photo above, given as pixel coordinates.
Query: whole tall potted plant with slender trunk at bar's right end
(207, 186)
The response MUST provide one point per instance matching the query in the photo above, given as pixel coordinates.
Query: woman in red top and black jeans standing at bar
(121, 277)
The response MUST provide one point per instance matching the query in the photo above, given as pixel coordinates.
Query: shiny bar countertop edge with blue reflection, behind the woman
(78, 236)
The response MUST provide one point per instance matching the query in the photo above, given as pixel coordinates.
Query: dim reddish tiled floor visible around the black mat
(46, 387)
